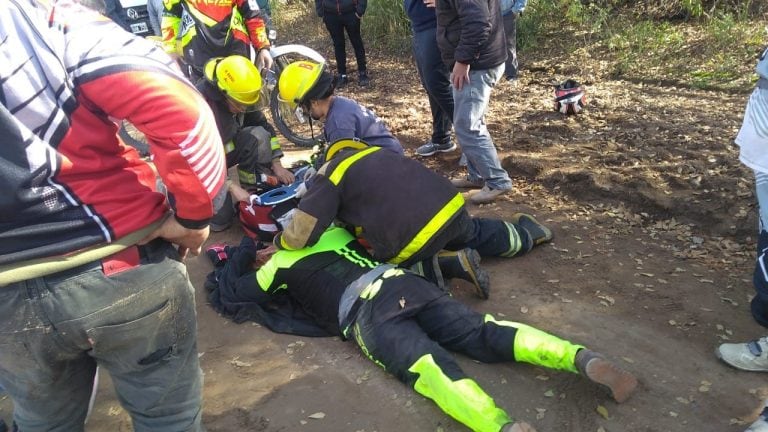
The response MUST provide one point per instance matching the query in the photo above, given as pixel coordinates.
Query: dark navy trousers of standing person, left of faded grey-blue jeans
(434, 75)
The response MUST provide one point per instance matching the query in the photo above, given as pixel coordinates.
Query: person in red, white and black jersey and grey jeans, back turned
(88, 275)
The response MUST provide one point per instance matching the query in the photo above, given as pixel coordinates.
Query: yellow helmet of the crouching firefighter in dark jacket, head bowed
(236, 77)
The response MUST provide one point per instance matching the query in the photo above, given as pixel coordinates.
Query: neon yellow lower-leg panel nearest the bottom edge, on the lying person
(461, 399)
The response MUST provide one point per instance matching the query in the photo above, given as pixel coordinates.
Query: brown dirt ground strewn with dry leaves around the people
(654, 222)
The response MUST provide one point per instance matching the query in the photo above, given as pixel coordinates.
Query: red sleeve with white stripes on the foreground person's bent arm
(179, 127)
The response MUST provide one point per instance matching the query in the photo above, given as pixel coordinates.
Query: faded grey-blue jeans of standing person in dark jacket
(470, 105)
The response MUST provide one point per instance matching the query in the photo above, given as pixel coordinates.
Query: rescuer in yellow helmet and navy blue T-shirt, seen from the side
(310, 85)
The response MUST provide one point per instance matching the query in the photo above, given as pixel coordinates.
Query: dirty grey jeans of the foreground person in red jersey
(139, 325)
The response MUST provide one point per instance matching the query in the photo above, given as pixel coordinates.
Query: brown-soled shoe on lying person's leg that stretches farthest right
(601, 371)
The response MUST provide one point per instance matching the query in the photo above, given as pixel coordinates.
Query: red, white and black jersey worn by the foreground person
(69, 183)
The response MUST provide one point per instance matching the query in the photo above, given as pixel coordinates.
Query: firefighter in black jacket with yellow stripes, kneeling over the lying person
(405, 211)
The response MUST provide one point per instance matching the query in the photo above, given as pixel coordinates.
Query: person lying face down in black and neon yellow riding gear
(401, 322)
